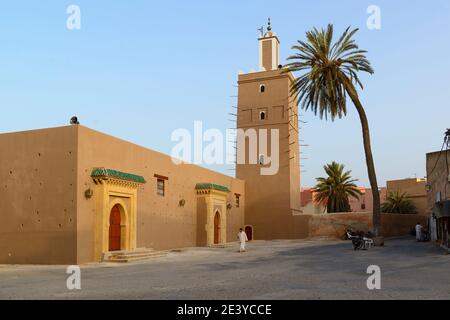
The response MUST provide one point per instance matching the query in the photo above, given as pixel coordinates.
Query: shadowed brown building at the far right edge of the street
(438, 199)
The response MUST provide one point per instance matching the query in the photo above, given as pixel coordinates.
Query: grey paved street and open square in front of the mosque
(308, 269)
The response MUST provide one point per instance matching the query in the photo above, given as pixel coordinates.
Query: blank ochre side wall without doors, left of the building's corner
(38, 197)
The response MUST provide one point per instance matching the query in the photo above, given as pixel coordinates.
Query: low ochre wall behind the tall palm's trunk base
(336, 224)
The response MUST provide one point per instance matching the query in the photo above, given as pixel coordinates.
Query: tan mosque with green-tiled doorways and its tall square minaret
(72, 195)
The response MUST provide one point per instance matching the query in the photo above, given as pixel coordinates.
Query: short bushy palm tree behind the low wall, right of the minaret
(334, 191)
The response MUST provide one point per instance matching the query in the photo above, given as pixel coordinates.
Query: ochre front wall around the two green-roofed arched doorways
(161, 222)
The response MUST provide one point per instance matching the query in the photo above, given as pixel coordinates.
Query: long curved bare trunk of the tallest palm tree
(369, 158)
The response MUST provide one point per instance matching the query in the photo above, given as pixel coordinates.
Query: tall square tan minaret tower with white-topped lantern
(264, 103)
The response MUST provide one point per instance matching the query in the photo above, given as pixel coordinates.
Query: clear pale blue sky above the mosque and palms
(139, 70)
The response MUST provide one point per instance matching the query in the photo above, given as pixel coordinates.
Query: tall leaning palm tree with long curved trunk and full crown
(330, 74)
